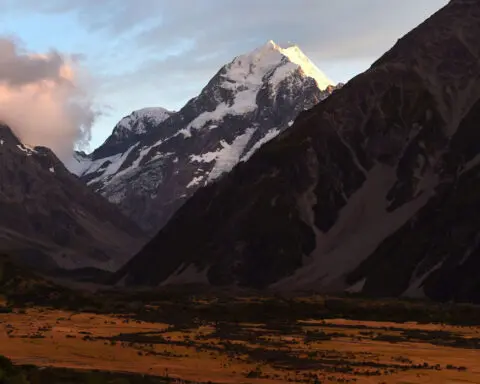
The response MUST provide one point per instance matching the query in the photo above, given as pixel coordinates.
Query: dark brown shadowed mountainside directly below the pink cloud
(50, 219)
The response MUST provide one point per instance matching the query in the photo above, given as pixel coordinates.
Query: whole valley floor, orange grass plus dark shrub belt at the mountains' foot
(250, 336)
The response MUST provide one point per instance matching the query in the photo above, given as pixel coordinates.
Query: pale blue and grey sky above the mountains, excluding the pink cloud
(131, 54)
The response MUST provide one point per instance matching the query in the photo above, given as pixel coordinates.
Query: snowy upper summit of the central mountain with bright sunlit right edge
(240, 86)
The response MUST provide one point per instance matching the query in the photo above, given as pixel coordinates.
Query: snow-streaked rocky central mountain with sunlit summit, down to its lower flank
(248, 102)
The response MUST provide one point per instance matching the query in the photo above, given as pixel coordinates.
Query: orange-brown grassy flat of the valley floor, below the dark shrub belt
(225, 351)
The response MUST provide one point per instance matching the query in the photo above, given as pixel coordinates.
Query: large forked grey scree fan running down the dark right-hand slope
(362, 225)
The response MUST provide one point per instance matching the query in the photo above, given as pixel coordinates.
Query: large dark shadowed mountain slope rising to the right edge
(374, 190)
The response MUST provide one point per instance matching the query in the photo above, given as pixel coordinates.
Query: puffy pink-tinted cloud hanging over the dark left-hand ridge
(42, 98)
